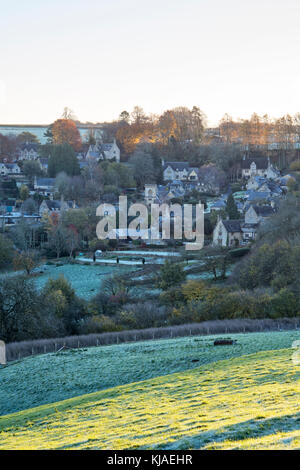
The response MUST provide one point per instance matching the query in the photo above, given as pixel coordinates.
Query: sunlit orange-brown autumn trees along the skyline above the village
(177, 134)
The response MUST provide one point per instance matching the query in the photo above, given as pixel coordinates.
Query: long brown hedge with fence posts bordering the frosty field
(18, 350)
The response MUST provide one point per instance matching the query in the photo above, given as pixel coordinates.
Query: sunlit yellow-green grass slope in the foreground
(246, 402)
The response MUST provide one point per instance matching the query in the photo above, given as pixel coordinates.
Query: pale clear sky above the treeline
(100, 57)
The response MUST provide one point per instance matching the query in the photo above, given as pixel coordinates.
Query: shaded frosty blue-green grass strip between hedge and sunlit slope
(53, 377)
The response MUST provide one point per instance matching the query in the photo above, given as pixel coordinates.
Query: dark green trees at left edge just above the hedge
(27, 314)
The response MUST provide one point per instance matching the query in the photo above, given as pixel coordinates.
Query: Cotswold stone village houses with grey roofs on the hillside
(261, 186)
